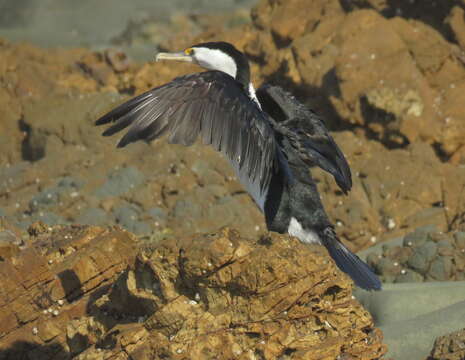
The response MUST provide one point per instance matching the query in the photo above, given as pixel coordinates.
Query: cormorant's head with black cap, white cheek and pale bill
(221, 56)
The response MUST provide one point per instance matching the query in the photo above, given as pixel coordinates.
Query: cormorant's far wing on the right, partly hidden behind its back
(306, 132)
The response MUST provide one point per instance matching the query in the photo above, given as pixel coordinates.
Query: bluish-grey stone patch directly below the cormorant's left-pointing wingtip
(120, 182)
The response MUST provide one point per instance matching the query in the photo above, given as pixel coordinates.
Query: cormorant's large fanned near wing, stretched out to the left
(210, 104)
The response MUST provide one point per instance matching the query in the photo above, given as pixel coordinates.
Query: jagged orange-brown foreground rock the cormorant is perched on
(199, 297)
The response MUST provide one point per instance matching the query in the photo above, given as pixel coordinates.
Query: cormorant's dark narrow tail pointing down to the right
(348, 262)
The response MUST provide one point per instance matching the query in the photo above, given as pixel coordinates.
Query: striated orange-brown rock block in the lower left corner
(50, 282)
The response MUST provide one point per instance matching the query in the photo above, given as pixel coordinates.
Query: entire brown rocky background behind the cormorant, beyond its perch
(399, 102)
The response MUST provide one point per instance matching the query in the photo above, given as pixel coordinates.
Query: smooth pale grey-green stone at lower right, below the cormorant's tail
(413, 315)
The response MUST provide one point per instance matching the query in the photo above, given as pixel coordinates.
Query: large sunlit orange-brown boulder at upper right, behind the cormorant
(377, 69)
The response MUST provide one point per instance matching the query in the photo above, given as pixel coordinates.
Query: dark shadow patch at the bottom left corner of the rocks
(25, 350)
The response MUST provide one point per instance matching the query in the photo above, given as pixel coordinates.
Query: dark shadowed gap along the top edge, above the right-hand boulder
(433, 13)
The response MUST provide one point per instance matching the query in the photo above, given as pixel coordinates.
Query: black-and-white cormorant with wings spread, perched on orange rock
(270, 139)
